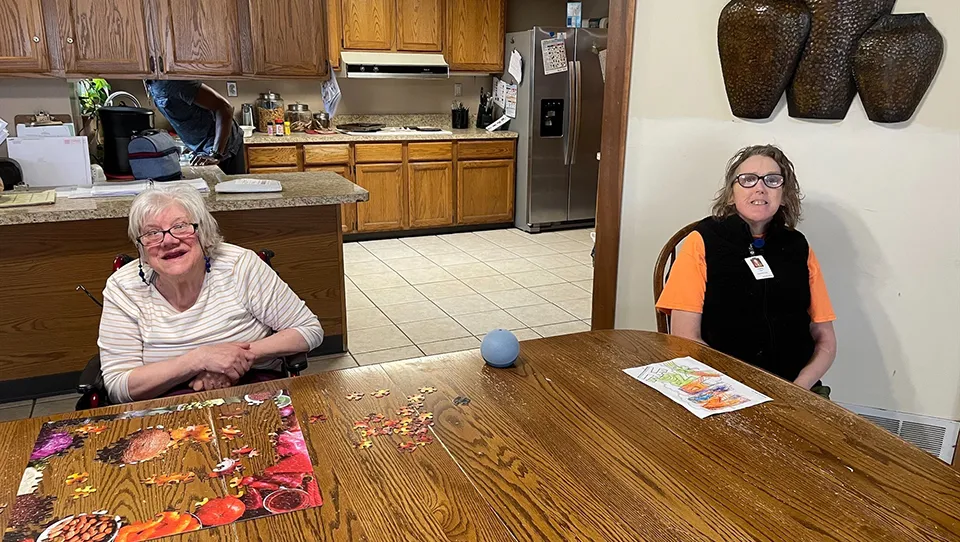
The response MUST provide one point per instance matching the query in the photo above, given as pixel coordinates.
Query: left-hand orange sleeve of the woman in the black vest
(687, 284)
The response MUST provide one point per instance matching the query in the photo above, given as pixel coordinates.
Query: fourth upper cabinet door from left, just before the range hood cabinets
(288, 37)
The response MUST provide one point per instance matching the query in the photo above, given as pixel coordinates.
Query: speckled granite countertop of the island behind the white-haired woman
(299, 190)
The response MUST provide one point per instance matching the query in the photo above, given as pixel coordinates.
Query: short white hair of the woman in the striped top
(153, 200)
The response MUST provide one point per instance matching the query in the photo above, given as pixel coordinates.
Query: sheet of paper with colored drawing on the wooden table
(697, 387)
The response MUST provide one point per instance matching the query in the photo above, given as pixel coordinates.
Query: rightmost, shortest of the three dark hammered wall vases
(895, 63)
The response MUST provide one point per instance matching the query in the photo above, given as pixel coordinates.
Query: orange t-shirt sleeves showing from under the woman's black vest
(687, 284)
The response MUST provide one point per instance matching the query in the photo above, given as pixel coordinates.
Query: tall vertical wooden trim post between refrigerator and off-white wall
(616, 101)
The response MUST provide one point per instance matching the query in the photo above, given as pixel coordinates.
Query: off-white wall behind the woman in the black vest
(882, 203)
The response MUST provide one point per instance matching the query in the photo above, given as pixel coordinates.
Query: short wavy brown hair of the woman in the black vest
(790, 205)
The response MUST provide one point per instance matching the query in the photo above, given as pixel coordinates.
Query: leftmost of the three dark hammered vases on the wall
(760, 42)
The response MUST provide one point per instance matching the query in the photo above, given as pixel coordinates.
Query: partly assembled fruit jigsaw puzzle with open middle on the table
(186, 467)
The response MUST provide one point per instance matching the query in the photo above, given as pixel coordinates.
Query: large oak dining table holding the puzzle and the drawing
(565, 446)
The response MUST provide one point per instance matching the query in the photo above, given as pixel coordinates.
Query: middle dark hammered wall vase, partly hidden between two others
(823, 86)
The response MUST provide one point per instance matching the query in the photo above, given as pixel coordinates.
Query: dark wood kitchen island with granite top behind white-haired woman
(48, 330)
